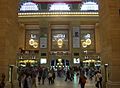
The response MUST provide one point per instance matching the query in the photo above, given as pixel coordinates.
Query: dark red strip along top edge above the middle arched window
(57, 1)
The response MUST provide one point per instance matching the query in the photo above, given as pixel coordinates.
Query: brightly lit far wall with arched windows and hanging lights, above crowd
(58, 36)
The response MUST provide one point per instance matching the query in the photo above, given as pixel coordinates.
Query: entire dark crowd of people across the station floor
(27, 75)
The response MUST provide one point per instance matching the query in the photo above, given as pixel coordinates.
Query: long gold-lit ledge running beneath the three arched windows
(56, 14)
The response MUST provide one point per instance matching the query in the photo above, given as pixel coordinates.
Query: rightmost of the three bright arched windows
(89, 6)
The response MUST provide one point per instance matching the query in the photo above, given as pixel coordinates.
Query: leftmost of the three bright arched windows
(29, 6)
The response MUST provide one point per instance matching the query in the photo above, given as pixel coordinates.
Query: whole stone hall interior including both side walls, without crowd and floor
(60, 34)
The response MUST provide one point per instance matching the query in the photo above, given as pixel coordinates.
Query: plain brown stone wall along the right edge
(110, 35)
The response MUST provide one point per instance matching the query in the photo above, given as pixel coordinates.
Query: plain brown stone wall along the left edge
(8, 34)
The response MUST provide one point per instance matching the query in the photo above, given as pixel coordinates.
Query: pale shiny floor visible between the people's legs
(61, 83)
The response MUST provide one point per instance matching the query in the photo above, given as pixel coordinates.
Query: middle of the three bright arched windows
(59, 6)
